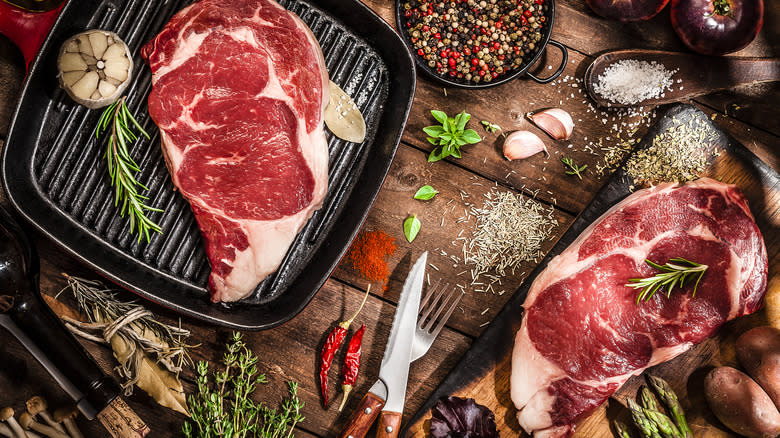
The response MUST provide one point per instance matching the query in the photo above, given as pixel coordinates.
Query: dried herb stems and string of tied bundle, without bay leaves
(130, 321)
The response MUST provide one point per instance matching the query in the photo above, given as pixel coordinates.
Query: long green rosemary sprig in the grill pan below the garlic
(122, 168)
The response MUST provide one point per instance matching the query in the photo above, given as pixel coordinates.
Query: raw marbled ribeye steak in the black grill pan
(239, 90)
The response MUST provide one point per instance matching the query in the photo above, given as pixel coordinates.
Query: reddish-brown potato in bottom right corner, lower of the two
(741, 404)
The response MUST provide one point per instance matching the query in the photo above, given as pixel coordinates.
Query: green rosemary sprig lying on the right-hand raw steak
(672, 274)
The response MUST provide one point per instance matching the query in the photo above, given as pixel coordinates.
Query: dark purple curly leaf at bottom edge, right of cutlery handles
(456, 417)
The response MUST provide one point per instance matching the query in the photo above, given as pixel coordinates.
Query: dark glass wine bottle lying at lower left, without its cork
(27, 317)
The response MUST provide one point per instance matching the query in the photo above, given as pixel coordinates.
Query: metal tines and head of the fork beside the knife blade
(435, 309)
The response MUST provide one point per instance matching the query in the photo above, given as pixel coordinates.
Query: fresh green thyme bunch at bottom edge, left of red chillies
(228, 410)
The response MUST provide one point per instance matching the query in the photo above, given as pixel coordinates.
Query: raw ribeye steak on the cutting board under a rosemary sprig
(584, 335)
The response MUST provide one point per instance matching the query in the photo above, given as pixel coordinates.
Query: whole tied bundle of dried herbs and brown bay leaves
(150, 354)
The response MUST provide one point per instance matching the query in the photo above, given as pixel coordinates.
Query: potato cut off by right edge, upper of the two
(758, 351)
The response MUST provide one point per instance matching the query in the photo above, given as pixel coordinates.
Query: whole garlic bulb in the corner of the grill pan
(94, 68)
